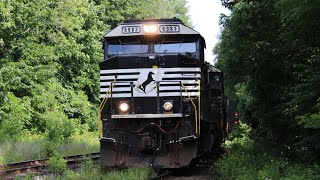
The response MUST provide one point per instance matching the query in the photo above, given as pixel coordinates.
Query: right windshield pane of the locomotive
(175, 47)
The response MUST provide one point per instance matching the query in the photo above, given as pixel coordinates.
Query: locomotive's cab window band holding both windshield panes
(159, 45)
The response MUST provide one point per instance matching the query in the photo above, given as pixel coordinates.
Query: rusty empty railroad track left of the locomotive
(8, 171)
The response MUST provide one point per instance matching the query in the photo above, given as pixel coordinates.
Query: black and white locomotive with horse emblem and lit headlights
(161, 104)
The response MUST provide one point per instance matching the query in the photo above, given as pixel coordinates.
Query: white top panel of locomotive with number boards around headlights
(164, 27)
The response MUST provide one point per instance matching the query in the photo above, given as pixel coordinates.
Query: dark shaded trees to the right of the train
(269, 51)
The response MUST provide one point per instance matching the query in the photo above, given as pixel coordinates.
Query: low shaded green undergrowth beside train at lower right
(247, 159)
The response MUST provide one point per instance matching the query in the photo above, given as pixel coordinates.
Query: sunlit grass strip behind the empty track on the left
(35, 147)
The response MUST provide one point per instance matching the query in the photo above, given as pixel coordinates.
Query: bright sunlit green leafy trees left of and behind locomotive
(49, 60)
